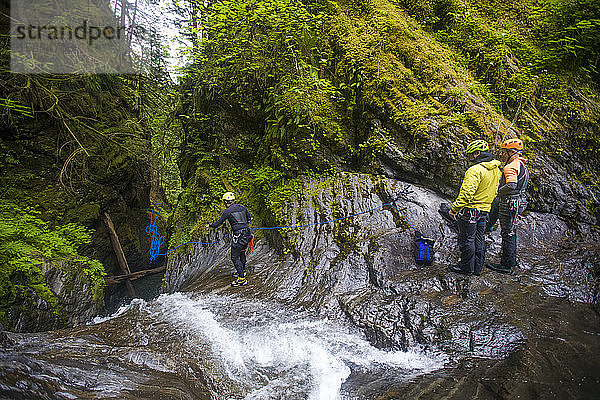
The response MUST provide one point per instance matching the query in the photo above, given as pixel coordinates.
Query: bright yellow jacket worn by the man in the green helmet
(479, 186)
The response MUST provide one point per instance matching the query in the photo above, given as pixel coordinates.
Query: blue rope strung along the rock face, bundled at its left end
(156, 240)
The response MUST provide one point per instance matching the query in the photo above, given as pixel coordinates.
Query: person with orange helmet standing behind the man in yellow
(510, 202)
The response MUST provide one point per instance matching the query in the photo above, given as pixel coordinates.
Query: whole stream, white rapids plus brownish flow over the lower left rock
(220, 346)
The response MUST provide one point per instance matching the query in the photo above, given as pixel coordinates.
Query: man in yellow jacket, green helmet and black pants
(472, 206)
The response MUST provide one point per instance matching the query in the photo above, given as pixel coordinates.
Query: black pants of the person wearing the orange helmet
(507, 209)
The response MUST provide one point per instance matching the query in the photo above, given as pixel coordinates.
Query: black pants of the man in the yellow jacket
(471, 242)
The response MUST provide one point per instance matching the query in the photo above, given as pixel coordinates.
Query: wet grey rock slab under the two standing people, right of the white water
(494, 327)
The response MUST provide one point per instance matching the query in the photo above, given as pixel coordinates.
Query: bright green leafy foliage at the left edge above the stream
(26, 243)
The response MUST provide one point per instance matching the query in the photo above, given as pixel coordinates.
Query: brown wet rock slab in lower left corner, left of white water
(130, 357)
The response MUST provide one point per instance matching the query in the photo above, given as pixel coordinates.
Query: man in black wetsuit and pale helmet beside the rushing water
(239, 217)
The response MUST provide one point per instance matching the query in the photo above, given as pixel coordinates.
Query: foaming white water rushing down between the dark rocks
(273, 352)
